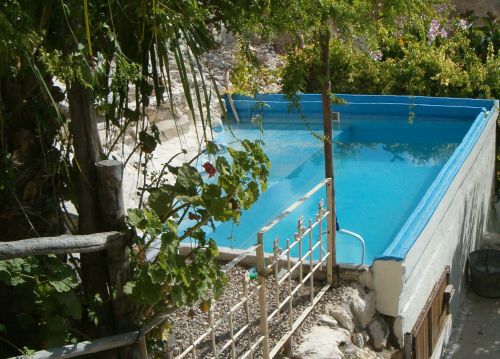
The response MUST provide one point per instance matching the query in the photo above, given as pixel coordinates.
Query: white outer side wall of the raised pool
(452, 232)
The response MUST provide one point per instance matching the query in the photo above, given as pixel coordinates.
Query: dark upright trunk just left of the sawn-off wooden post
(88, 152)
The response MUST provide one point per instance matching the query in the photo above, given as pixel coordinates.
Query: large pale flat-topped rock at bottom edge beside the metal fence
(323, 343)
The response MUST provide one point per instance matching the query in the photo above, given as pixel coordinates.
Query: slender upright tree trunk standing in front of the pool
(327, 122)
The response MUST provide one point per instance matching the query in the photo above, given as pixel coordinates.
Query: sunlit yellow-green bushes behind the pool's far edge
(406, 62)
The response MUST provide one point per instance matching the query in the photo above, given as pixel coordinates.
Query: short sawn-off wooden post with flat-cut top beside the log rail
(110, 176)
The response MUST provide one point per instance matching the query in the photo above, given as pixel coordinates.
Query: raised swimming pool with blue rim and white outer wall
(420, 193)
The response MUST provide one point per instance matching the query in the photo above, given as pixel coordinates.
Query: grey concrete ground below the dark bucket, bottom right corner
(476, 330)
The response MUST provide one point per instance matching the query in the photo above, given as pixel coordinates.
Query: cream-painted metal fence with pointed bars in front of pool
(283, 280)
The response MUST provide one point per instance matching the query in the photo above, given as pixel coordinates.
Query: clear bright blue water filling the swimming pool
(383, 167)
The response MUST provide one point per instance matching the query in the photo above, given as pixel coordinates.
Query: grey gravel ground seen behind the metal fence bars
(194, 321)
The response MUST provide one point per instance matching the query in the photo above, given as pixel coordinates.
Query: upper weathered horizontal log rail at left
(59, 245)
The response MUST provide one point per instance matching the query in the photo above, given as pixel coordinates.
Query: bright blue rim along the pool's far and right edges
(478, 111)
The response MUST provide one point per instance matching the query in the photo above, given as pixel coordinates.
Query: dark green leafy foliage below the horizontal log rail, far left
(44, 300)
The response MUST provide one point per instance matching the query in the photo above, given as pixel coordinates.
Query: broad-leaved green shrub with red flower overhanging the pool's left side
(170, 277)
